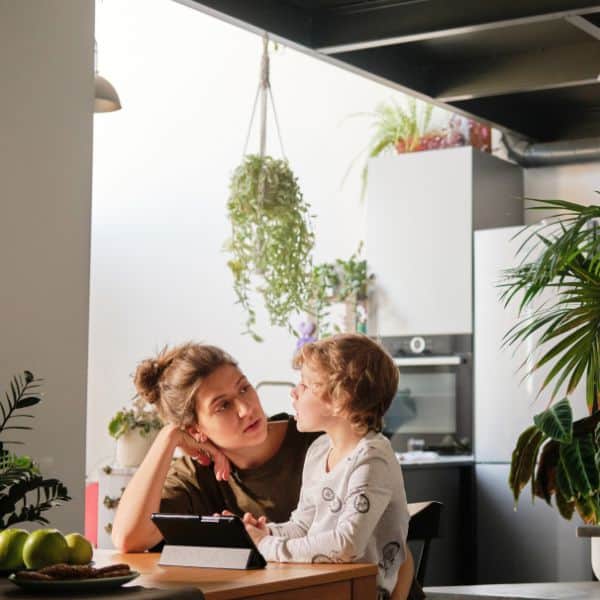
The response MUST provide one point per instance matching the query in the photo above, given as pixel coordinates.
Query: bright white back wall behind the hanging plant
(161, 172)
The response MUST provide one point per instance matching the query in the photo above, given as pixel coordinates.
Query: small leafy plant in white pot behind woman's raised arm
(134, 429)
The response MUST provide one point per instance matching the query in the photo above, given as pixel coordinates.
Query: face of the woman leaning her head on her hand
(228, 411)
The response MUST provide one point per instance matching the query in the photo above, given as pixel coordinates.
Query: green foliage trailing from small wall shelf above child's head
(338, 281)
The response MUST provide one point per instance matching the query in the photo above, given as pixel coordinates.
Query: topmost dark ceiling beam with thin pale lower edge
(337, 31)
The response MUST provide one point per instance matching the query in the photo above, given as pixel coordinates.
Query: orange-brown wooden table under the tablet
(278, 581)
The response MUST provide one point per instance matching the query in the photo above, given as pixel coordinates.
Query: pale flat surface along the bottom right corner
(576, 590)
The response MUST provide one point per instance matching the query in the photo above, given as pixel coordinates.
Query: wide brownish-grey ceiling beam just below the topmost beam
(564, 66)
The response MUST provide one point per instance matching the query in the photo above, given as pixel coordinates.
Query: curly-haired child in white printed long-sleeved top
(352, 505)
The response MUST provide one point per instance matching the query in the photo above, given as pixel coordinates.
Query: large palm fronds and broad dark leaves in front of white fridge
(561, 457)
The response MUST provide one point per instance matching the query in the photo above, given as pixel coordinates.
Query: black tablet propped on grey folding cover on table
(202, 541)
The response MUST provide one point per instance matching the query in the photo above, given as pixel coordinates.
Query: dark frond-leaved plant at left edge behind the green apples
(24, 493)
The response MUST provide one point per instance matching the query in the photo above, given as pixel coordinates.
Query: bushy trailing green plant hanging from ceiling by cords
(271, 239)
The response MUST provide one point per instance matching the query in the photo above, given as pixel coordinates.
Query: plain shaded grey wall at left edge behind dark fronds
(46, 62)
